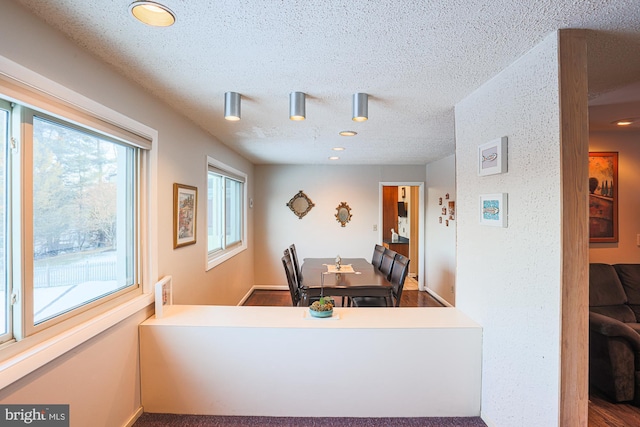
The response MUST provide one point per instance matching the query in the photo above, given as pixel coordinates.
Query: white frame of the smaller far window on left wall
(216, 258)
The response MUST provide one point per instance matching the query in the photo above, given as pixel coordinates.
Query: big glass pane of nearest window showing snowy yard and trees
(83, 217)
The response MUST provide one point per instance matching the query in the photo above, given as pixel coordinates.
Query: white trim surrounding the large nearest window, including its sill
(18, 359)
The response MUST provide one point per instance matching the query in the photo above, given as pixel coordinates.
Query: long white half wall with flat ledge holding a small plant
(275, 361)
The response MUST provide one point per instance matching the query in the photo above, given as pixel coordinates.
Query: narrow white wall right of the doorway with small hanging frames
(440, 252)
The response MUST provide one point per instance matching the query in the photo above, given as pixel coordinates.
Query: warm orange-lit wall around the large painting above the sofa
(627, 144)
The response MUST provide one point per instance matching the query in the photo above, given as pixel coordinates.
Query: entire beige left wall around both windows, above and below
(100, 379)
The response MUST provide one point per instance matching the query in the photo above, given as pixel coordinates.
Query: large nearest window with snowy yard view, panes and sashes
(70, 220)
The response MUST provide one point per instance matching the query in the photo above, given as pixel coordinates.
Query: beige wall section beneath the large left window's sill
(99, 379)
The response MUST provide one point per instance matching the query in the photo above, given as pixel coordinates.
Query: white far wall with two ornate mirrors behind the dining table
(318, 234)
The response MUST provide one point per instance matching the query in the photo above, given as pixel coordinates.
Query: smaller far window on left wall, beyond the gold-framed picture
(225, 212)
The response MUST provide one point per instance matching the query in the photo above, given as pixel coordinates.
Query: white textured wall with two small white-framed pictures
(508, 279)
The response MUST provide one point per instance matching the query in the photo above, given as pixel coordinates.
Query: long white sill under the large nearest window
(42, 353)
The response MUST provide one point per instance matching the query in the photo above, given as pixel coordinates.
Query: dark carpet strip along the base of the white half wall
(172, 420)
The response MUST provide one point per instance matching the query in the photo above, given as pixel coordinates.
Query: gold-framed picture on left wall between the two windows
(185, 204)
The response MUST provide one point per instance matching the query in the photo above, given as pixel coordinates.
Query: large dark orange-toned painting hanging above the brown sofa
(603, 197)
